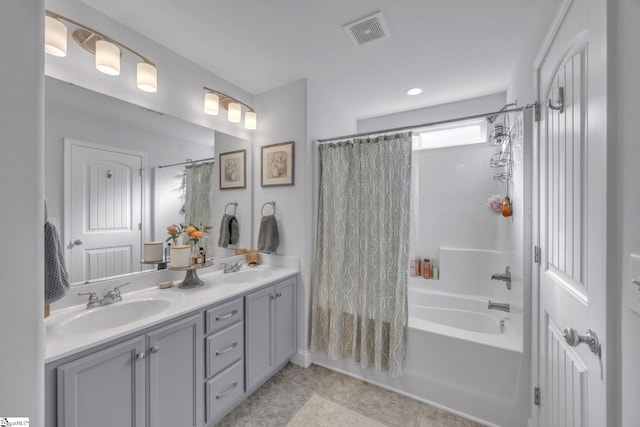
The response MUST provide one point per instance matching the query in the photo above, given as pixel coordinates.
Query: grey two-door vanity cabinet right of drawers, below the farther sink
(270, 322)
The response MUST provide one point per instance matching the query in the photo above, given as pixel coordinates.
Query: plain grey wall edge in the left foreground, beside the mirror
(22, 213)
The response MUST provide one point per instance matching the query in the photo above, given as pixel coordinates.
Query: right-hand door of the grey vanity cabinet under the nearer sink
(175, 374)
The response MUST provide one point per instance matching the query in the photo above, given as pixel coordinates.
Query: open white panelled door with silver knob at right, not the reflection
(572, 234)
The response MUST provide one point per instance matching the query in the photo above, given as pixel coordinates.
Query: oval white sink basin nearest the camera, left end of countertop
(110, 316)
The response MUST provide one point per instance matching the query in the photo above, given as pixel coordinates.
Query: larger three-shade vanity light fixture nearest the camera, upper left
(106, 50)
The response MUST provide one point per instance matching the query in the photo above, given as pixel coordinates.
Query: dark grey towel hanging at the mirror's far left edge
(56, 279)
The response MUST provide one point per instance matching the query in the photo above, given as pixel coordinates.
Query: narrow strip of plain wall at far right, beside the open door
(625, 197)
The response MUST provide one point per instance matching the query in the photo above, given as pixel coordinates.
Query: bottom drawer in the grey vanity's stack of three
(224, 390)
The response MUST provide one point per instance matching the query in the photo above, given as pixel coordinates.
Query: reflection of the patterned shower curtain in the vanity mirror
(199, 187)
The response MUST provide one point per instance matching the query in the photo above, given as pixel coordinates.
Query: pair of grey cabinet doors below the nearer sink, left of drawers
(109, 387)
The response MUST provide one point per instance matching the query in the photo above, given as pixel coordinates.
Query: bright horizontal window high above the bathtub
(451, 135)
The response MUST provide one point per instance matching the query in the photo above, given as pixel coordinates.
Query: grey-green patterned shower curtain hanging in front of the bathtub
(362, 246)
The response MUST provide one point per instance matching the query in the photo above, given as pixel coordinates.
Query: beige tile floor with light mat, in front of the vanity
(334, 400)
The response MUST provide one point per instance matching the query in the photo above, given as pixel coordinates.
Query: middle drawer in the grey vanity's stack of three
(224, 348)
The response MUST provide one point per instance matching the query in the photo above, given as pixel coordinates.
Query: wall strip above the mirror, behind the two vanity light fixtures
(180, 82)
